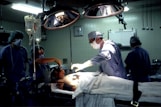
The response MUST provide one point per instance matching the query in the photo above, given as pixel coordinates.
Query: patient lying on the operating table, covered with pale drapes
(100, 83)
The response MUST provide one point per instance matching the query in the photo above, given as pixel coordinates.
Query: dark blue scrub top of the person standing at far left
(13, 62)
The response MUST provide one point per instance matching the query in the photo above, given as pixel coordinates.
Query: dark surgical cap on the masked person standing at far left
(15, 35)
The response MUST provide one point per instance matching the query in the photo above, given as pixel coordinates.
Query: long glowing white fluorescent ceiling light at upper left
(26, 8)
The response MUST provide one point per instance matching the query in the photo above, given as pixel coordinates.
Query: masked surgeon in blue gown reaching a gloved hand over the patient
(109, 57)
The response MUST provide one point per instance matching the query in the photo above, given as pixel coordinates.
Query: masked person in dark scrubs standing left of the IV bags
(13, 63)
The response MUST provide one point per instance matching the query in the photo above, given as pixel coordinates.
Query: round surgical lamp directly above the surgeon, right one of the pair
(102, 9)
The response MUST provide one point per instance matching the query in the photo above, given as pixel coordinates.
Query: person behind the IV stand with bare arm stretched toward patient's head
(41, 65)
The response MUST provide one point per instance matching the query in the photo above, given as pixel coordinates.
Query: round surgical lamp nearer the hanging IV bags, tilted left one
(59, 17)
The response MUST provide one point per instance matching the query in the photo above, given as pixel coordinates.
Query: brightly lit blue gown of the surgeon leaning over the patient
(110, 60)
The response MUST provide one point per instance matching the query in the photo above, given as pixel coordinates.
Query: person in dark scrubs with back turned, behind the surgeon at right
(138, 61)
